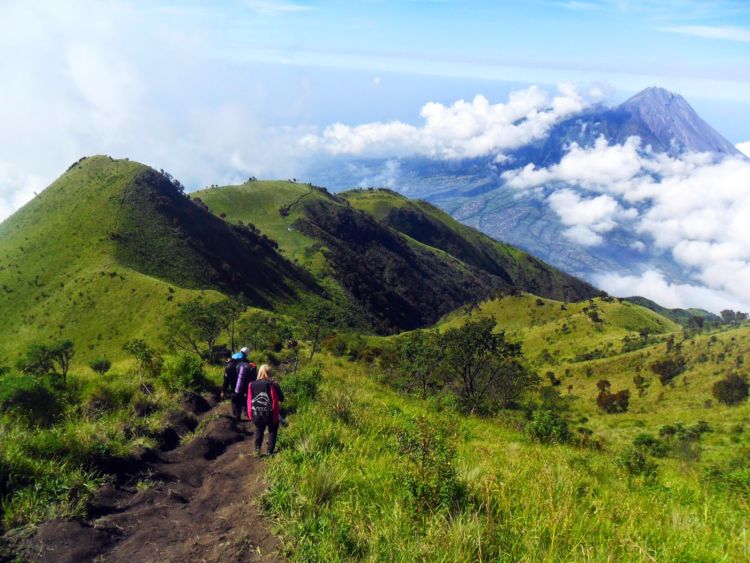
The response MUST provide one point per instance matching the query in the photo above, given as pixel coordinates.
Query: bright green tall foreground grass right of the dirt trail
(339, 491)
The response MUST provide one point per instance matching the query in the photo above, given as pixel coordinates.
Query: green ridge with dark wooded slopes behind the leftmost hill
(386, 265)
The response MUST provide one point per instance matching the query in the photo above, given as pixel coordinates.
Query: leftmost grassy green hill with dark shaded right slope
(110, 247)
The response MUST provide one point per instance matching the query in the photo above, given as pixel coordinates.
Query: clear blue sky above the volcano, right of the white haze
(700, 49)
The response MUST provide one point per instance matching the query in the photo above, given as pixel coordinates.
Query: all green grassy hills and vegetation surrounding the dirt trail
(517, 427)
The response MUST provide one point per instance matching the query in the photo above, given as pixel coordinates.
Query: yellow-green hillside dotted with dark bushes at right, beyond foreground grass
(565, 341)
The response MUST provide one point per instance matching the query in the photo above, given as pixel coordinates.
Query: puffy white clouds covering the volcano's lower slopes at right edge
(694, 206)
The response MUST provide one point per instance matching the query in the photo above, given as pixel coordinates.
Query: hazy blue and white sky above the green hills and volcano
(216, 92)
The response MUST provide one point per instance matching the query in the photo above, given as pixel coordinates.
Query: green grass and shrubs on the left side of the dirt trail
(51, 468)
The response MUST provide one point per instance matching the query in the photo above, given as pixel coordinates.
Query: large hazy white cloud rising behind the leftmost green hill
(92, 77)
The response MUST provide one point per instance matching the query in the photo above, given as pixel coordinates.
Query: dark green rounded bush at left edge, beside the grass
(30, 400)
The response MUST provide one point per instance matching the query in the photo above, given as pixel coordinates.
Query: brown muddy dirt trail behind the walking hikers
(196, 502)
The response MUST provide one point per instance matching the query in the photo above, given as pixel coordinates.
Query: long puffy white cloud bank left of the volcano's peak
(461, 130)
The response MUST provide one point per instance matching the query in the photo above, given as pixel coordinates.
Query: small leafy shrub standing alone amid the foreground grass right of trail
(429, 471)
